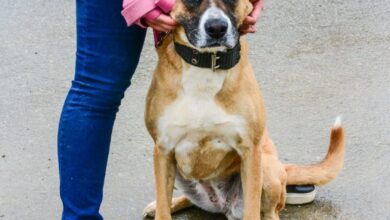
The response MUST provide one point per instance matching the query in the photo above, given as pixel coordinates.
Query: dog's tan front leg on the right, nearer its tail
(251, 177)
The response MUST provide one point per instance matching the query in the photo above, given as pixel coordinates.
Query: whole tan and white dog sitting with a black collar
(206, 116)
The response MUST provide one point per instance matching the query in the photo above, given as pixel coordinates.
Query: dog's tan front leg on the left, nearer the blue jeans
(164, 173)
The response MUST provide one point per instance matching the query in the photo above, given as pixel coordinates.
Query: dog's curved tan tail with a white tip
(325, 171)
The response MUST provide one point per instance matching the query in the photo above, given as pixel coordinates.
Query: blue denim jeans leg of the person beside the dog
(107, 55)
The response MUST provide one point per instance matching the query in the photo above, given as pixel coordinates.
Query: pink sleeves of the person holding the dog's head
(134, 10)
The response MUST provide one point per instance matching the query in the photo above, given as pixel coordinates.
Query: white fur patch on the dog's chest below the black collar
(195, 115)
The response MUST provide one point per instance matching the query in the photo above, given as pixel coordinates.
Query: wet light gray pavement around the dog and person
(314, 61)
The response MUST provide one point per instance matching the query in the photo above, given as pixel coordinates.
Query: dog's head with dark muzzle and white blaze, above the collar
(210, 24)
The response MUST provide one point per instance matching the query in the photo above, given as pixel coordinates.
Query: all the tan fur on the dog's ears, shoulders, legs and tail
(254, 156)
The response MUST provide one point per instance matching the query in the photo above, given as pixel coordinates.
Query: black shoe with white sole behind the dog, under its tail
(299, 195)
